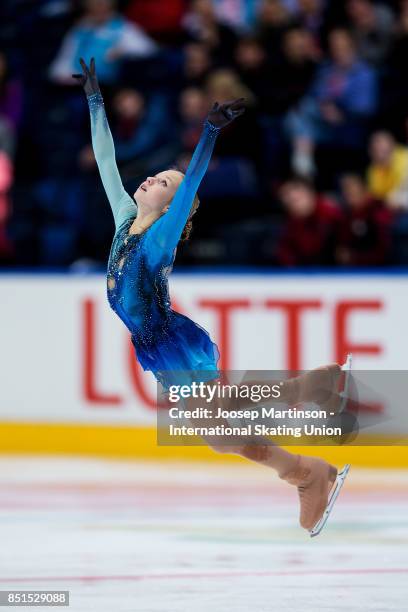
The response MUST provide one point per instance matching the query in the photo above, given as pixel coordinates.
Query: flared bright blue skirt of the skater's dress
(183, 354)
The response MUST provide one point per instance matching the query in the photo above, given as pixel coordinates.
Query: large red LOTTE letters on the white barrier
(225, 334)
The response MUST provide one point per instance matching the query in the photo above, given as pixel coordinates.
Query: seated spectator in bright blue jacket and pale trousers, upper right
(342, 98)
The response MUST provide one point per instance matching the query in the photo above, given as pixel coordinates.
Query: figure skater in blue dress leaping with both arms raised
(149, 227)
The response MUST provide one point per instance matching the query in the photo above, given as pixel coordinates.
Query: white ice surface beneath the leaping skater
(173, 537)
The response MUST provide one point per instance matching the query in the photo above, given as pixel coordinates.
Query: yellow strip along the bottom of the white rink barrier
(140, 443)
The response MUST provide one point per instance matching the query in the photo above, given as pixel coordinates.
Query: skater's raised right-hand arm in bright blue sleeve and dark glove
(164, 235)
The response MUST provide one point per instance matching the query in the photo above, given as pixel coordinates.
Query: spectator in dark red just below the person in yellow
(364, 237)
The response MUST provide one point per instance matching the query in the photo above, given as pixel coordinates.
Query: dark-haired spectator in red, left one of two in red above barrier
(308, 236)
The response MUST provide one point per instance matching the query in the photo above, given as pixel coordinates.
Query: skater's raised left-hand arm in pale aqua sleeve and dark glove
(123, 206)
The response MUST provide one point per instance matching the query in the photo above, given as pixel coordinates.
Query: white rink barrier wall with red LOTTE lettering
(65, 357)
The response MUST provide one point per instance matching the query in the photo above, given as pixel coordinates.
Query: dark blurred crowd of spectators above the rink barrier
(314, 174)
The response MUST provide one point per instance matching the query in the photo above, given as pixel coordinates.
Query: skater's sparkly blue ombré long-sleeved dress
(172, 346)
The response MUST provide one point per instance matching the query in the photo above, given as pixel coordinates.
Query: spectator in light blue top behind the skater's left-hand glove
(104, 34)
